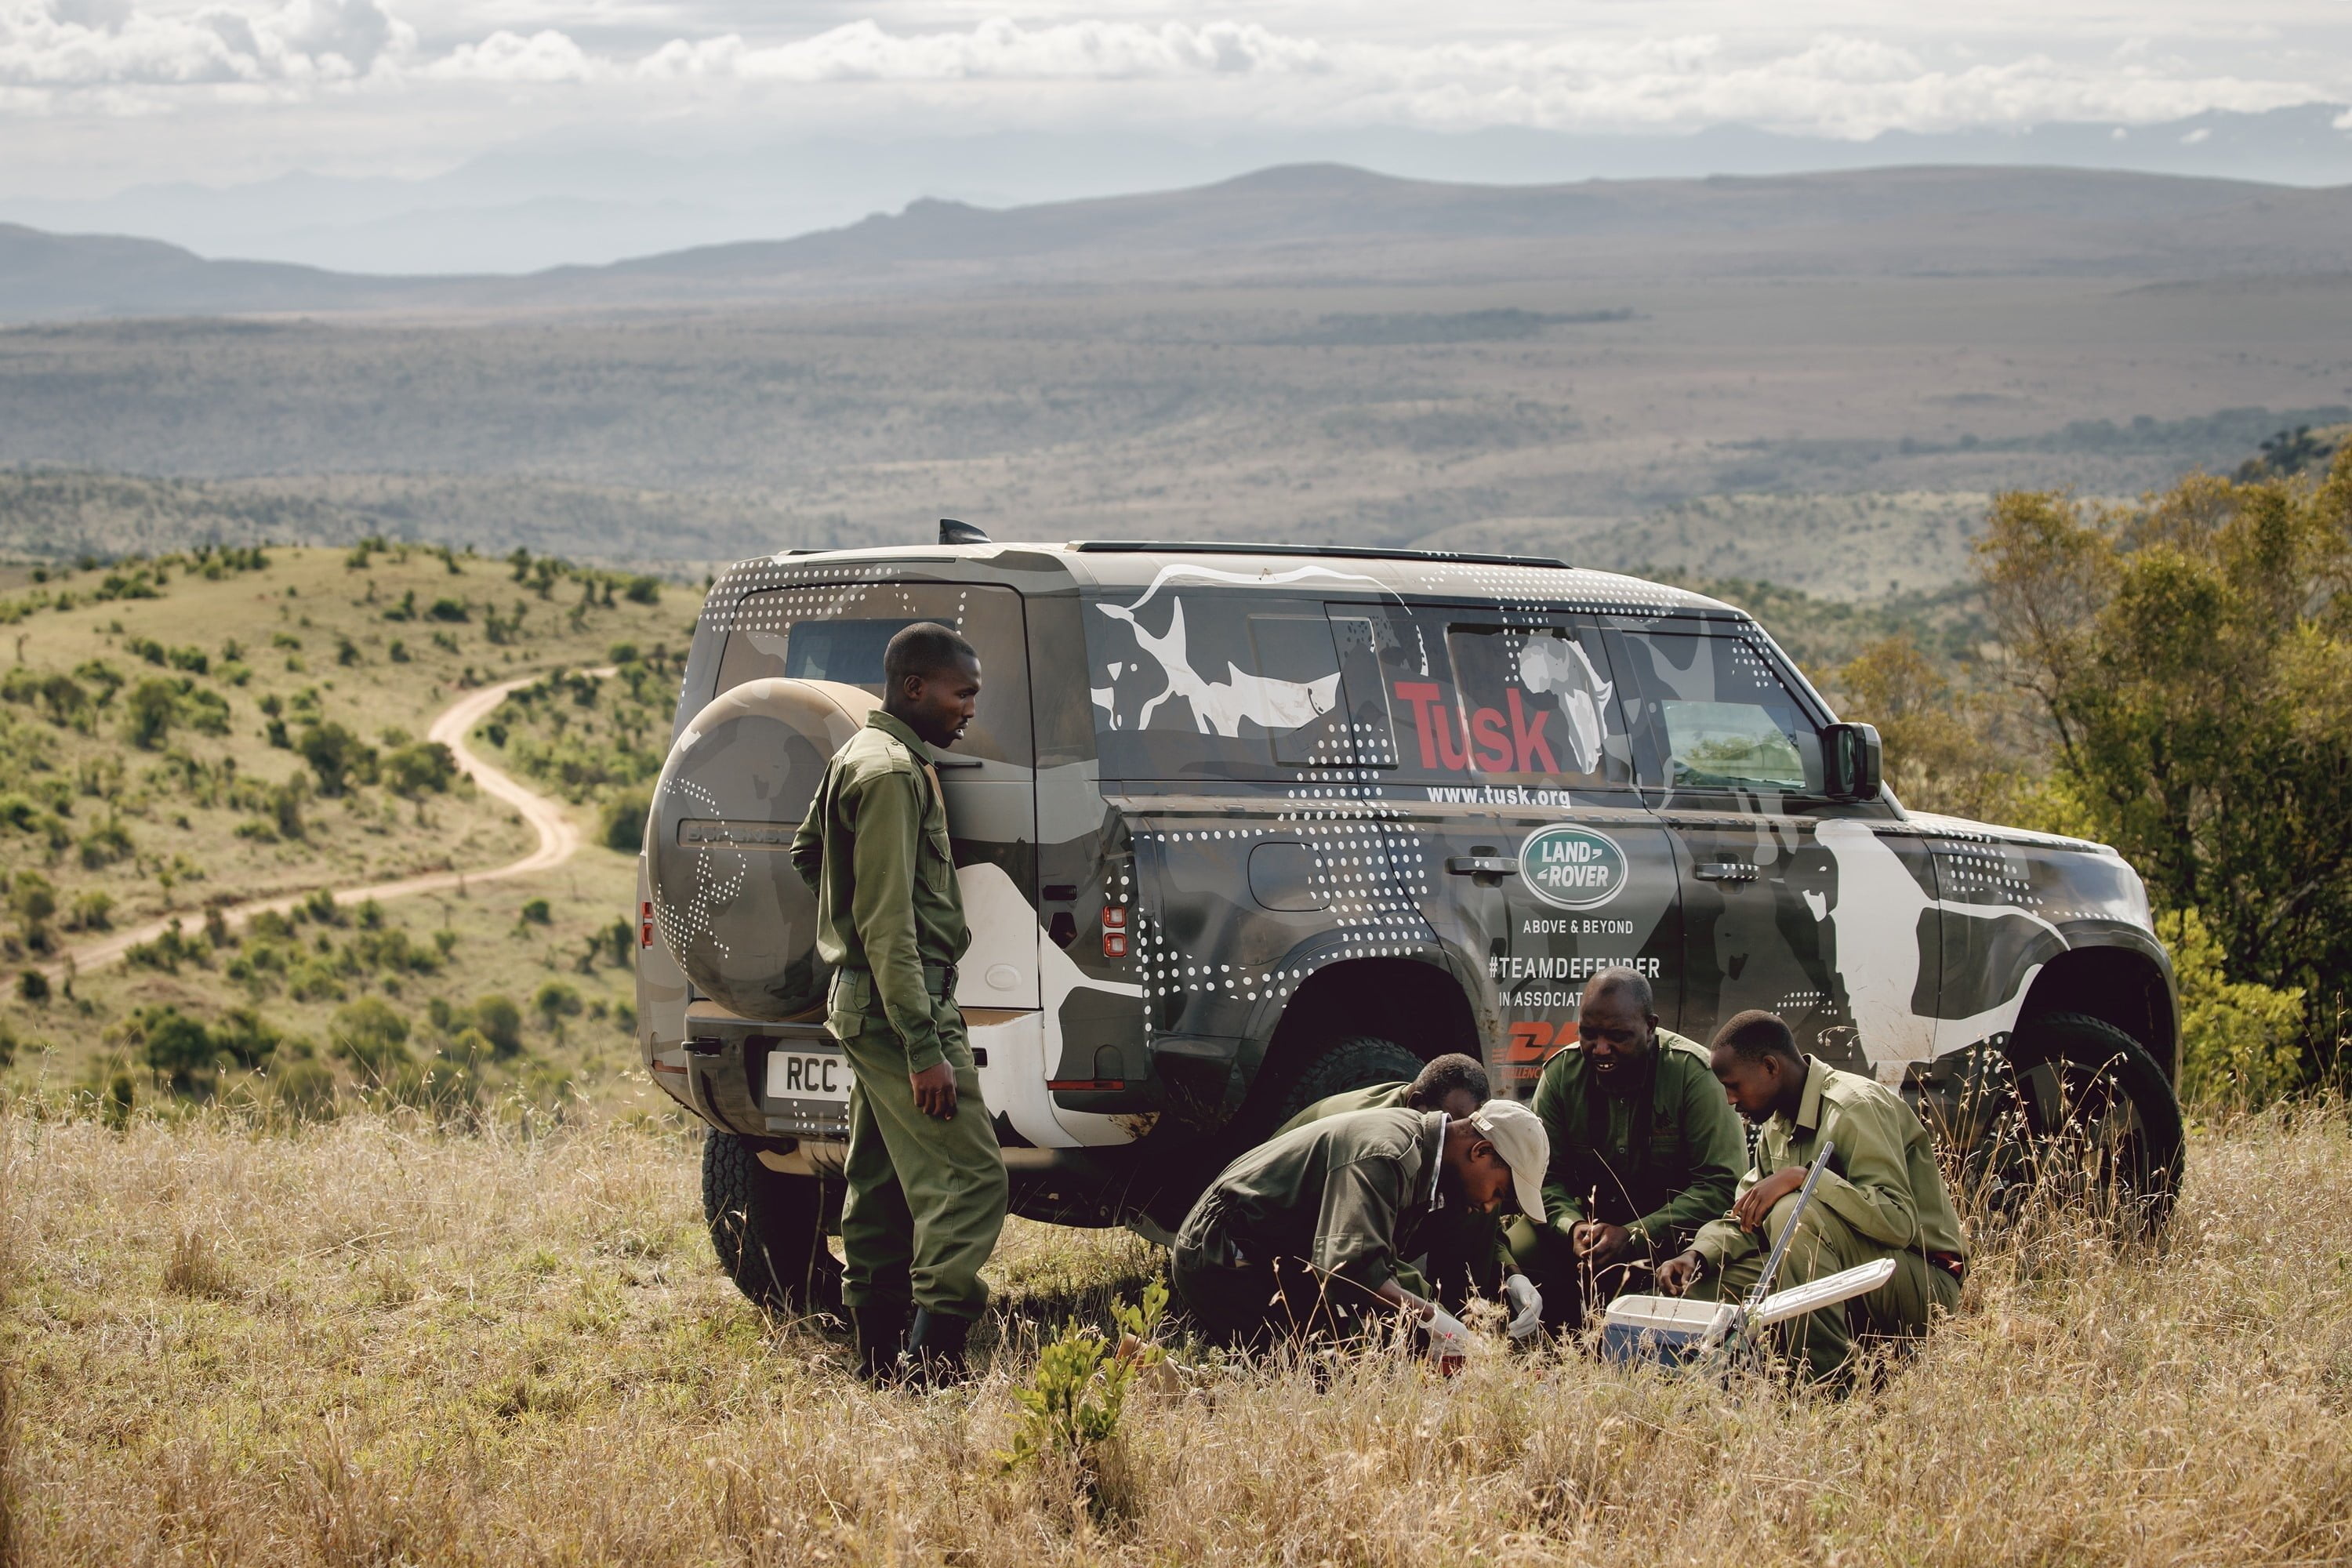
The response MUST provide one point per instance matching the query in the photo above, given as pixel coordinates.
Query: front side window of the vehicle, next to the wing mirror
(1716, 718)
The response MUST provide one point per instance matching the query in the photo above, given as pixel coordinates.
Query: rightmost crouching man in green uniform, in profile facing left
(1880, 1198)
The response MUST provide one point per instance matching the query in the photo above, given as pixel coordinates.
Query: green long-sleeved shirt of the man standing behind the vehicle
(876, 852)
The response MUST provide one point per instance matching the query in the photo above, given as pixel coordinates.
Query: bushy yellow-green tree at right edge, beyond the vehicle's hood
(2193, 666)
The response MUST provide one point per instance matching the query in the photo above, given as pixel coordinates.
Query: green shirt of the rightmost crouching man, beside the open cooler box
(1883, 1179)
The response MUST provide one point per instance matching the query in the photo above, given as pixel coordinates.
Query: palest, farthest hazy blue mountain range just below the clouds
(570, 201)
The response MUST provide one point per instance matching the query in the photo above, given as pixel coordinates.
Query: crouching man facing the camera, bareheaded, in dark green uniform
(1645, 1151)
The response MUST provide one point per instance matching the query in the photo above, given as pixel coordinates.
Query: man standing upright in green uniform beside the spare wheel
(926, 1174)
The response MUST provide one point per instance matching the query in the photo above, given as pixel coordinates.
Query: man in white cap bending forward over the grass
(1304, 1235)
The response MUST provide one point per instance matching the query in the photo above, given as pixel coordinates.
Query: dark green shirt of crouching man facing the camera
(1662, 1155)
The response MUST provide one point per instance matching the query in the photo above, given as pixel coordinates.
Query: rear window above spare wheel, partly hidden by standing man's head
(838, 634)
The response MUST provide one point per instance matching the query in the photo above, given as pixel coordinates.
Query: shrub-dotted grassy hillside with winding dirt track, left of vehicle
(211, 728)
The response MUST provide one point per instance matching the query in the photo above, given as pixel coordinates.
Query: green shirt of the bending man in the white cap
(1344, 1193)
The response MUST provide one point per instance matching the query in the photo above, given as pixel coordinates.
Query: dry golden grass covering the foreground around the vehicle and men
(370, 1343)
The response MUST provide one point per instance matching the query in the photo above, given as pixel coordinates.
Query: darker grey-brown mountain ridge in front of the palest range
(1321, 225)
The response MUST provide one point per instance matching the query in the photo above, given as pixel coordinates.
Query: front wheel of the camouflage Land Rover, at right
(2073, 1115)
